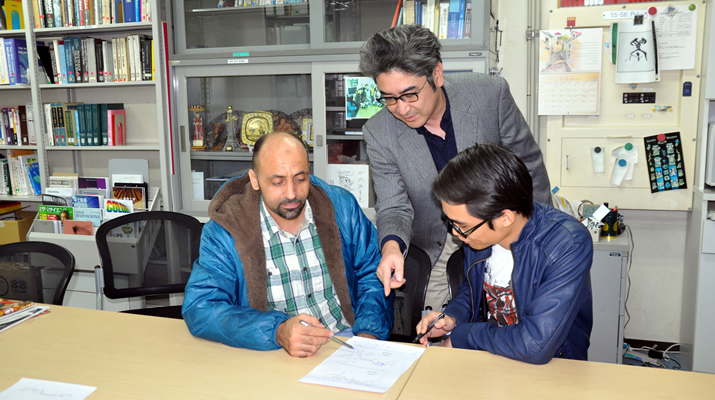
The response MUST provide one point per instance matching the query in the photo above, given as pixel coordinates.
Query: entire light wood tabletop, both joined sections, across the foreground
(135, 357)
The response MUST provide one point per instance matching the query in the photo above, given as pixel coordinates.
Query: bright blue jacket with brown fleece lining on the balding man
(226, 296)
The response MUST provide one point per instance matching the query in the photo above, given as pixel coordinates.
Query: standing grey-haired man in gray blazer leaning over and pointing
(429, 117)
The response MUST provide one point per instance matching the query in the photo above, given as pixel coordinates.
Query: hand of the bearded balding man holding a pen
(300, 340)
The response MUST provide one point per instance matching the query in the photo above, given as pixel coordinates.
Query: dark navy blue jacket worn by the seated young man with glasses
(552, 290)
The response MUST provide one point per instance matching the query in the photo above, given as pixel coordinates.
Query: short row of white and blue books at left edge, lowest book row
(20, 174)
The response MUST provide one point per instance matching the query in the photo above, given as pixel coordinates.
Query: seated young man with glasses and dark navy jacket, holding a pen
(526, 292)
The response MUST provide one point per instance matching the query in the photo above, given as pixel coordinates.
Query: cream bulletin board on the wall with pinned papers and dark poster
(628, 113)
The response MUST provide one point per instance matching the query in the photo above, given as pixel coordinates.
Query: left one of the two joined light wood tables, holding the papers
(130, 356)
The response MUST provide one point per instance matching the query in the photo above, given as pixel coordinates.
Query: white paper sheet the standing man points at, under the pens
(374, 366)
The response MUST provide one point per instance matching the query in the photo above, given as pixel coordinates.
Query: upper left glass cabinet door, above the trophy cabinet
(216, 25)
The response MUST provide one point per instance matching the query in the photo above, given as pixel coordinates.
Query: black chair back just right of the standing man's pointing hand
(410, 298)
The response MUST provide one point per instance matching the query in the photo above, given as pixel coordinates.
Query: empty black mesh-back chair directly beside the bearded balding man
(147, 254)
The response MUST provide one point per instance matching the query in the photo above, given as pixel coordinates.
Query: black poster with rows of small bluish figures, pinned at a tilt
(666, 168)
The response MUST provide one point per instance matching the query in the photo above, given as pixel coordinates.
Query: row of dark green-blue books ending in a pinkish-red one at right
(79, 124)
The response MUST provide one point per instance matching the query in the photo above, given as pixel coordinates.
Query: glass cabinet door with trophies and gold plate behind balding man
(216, 143)
